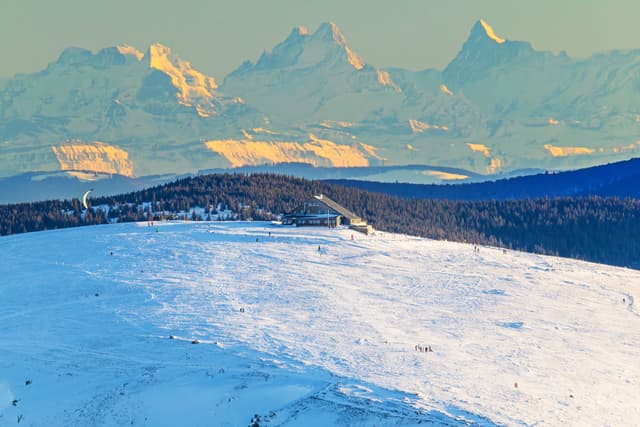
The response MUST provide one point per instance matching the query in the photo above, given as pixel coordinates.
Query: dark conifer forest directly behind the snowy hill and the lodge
(591, 228)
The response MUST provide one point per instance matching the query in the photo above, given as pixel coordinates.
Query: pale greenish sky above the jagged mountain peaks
(217, 35)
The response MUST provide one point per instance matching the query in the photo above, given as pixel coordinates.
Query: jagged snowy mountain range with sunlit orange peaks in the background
(499, 105)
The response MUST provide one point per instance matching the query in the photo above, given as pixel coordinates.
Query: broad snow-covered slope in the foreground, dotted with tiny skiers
(305, 326)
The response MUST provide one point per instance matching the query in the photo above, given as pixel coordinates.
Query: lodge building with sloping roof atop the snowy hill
(322, 211)
